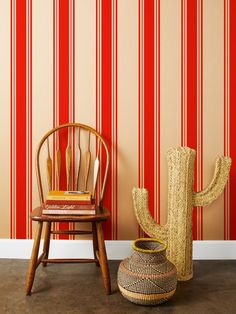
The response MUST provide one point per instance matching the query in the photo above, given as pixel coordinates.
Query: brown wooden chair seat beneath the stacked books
(102, 215)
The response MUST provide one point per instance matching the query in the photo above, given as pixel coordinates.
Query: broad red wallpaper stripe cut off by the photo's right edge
(232, 117)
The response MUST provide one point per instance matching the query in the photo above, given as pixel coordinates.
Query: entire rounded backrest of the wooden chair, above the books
(82, 160)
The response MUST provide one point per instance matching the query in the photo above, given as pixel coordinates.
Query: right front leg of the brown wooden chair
(103, 259)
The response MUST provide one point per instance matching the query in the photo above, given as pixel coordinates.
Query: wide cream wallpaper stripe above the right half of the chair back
(85, 73)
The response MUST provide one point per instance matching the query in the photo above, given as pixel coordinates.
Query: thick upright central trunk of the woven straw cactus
(180, 189)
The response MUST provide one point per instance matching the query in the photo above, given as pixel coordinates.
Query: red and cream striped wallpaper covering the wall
(147, 74)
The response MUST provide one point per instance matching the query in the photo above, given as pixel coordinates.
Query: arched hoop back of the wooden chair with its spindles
(70, 166)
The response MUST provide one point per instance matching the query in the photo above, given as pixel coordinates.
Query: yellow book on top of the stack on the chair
(69, 195)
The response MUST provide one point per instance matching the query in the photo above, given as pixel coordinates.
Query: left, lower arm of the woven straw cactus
(145, 220)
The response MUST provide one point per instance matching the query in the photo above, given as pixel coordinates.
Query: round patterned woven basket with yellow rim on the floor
(147, 277)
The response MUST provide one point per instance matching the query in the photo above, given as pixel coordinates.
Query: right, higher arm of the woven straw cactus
(216, 187)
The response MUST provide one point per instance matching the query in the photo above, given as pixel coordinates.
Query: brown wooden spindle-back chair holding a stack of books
(82, 179)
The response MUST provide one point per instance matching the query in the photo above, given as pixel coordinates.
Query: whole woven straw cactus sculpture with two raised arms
(177, 233)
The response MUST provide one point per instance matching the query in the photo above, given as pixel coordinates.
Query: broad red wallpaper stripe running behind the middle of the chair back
(63, 91)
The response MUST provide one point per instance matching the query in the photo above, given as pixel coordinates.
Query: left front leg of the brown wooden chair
(33, 261)
